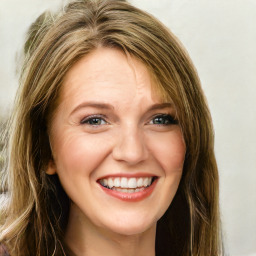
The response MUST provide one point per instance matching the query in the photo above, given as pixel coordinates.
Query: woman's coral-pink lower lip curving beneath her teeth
(131, 197)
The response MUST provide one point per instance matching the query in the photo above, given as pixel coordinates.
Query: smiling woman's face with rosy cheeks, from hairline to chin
(117, 148)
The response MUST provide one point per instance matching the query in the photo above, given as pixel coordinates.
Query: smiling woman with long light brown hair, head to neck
(111, 142)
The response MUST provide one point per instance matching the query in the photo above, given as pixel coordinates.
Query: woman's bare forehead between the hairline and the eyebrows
(109, 70)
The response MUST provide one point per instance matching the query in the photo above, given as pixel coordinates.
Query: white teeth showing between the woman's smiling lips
(126, 183)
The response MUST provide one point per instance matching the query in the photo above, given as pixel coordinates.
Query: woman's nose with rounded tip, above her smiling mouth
(130, 146)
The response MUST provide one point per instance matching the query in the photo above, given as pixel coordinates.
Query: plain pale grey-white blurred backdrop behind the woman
(220, 36)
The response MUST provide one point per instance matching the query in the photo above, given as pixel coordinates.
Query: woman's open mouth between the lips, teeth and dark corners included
(127, 185)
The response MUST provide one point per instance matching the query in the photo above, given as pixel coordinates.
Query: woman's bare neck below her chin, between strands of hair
(85, 239)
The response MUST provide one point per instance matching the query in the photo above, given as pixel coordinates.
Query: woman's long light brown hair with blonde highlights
(36, 208)
